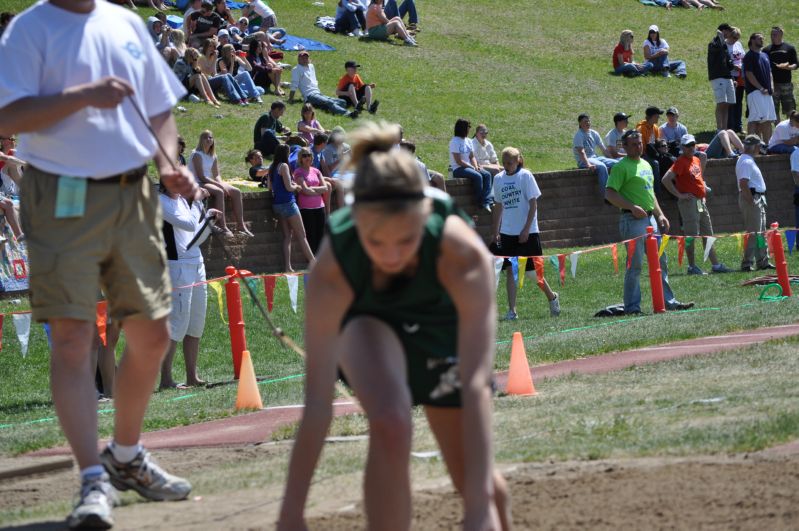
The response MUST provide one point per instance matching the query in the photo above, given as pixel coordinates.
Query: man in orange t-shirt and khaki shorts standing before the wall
(684, 180)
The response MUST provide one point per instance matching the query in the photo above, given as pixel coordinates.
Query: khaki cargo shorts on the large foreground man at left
(117, 245)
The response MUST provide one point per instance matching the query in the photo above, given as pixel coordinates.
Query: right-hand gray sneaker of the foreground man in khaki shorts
(145, 477)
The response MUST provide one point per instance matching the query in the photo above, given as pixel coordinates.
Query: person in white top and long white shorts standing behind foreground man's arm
(182, 222)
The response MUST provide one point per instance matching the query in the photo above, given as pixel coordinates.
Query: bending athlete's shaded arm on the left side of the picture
(327, 298)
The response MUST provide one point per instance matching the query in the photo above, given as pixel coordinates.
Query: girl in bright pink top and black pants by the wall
(311, 198)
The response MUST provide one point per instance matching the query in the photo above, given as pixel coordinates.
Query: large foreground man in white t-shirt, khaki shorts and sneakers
(92, 221)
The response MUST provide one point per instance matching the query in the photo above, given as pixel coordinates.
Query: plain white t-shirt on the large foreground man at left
(77, 49)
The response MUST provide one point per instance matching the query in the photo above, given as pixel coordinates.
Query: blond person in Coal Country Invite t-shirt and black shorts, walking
(515, 225)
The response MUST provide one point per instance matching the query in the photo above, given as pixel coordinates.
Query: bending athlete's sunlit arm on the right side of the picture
(465, 270)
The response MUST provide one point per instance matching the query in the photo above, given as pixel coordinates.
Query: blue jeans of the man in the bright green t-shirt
(630, 227)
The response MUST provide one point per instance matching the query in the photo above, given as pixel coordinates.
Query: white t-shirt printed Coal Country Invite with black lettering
(514, 193)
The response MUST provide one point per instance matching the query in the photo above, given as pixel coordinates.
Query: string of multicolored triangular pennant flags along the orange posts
(22, 319)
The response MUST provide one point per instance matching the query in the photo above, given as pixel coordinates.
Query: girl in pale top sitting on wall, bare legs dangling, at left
(205, 167)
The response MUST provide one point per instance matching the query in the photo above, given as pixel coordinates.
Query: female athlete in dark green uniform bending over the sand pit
(401, 302)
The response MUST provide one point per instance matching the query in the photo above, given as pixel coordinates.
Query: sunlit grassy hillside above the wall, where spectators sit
(526, 68)
